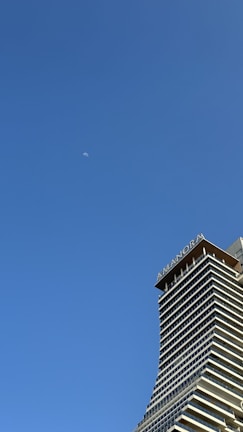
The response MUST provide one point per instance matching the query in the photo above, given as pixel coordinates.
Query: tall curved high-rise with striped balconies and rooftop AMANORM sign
(199, 386)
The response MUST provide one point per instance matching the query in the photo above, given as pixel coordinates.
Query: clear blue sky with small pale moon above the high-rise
(152, 91)
